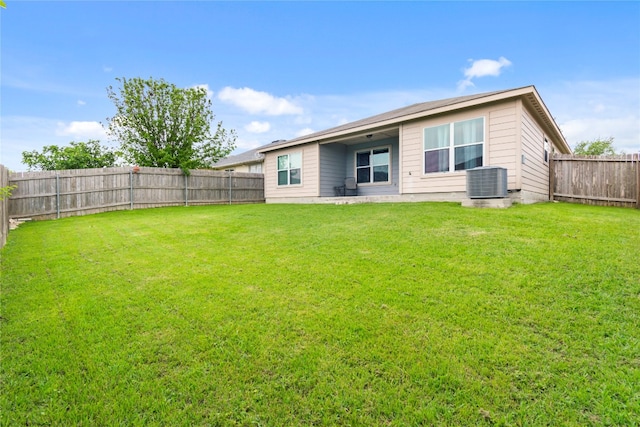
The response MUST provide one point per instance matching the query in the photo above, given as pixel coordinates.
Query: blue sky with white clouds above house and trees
(278, 70)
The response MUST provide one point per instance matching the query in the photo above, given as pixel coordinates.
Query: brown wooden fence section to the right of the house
(596, 180)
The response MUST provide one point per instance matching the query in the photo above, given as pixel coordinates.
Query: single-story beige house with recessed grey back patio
(421, 152)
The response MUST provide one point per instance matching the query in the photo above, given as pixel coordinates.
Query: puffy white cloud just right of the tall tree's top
(256, 102)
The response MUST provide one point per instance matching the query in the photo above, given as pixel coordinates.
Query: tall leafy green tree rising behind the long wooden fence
(161, 125)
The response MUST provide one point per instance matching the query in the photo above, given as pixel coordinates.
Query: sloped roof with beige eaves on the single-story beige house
(424, 109)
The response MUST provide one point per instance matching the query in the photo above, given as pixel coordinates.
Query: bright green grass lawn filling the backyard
(372, 314)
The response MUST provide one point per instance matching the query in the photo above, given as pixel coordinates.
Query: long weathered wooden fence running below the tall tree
(57, 194)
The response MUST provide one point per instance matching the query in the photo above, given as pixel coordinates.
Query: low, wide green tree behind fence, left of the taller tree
(77, 155)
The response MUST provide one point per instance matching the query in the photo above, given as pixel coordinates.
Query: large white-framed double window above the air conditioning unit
(454, 146)
